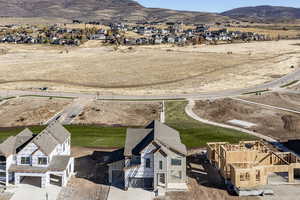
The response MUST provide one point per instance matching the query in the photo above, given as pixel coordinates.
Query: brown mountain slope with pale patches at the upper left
(104, 10)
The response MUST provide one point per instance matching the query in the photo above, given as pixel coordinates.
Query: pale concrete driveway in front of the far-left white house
(26, 191)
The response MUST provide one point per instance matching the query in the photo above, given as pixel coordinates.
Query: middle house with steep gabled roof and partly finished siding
(154, 158)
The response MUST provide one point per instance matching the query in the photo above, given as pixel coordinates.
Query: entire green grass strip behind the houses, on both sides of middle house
(193, 133)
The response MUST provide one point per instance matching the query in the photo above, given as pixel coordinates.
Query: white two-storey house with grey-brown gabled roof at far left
(43, 157)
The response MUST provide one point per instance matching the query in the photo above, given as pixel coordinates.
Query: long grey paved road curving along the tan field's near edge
(209, 95)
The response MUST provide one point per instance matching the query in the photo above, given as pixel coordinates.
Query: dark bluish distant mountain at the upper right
(264, 14)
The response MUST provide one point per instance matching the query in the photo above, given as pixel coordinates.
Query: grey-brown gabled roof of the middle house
(138, 139)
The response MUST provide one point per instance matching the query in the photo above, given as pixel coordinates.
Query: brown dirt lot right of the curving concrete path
(275, 123)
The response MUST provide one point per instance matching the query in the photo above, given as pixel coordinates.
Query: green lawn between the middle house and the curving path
(196, 134)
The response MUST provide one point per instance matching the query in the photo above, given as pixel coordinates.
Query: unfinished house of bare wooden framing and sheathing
(250, 163)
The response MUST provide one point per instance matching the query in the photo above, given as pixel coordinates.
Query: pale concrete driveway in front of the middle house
(130, 194)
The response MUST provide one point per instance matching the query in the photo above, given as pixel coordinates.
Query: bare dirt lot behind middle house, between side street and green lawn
(119, 112)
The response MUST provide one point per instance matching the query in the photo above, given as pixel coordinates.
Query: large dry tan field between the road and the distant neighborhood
(146, 70)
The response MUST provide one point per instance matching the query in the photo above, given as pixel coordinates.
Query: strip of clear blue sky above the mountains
(214, 5)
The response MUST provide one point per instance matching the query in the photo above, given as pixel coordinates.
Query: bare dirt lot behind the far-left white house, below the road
(25, 111)
